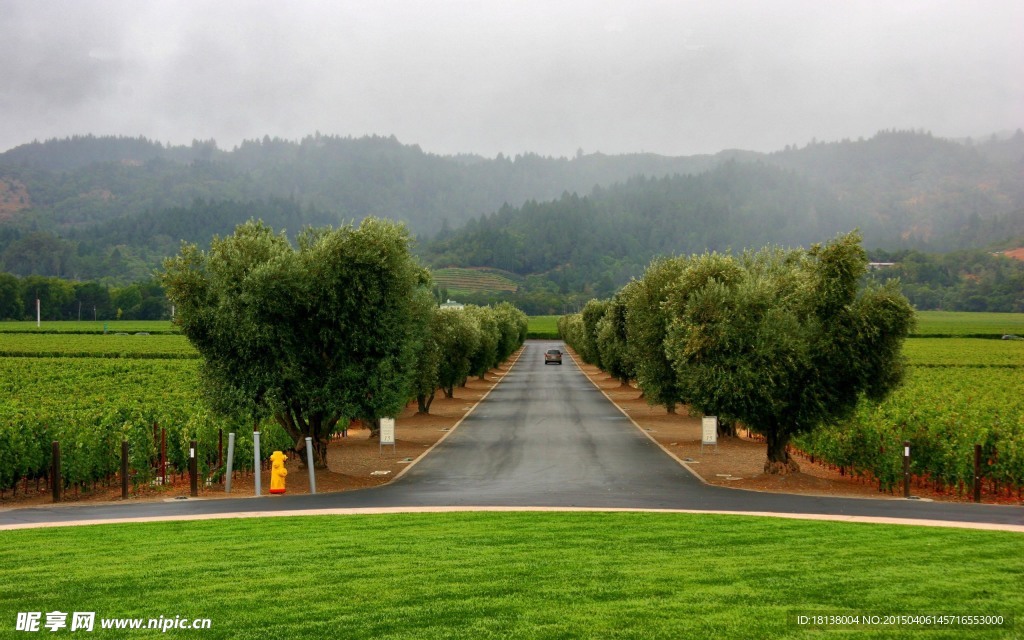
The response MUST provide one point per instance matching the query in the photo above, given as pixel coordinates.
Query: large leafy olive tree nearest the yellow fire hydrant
(312, 335)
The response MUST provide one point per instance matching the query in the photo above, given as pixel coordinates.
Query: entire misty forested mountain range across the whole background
(113, 207)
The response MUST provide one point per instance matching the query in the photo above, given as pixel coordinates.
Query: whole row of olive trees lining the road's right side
(782, 342)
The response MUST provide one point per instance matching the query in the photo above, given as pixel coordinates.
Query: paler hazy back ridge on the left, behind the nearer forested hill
(86, 181)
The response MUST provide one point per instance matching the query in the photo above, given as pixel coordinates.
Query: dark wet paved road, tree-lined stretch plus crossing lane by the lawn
(544, 438)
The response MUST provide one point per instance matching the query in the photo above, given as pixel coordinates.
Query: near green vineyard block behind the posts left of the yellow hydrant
(92, 405)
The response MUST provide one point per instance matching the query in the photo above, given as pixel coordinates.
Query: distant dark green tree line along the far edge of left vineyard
(65, 301)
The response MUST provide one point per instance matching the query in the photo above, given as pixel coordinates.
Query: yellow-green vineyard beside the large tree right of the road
(960, 393)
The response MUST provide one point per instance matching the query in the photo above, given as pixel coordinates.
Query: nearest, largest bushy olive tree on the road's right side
(787, 342)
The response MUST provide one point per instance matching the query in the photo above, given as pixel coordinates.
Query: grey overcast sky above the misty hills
(487, 76)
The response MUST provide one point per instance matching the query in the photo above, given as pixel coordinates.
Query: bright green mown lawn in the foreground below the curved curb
(511, 575)
